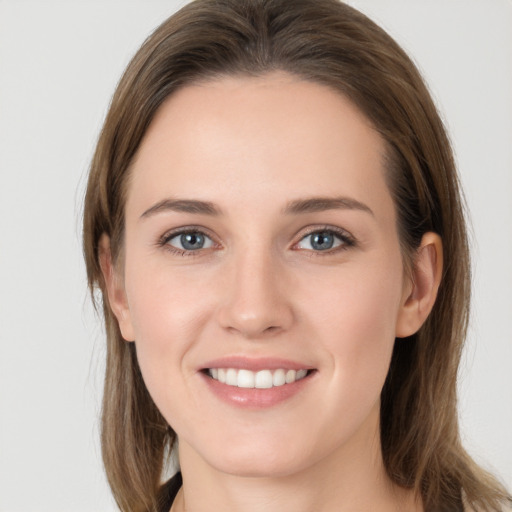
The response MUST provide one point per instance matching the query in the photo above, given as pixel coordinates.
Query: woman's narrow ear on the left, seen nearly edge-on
(115, 289)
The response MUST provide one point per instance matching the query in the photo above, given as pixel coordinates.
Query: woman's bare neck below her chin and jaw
(352, 478)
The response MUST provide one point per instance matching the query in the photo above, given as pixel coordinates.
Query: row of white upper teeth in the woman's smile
(263, 379)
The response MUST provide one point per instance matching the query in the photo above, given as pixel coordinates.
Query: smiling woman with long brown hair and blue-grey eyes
(273, 218)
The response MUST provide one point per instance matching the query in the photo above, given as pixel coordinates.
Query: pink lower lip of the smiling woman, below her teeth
(253, 398)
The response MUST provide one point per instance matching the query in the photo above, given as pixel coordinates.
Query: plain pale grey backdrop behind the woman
(59, 63)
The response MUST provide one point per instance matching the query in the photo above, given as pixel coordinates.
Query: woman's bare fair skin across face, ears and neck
(251, 146)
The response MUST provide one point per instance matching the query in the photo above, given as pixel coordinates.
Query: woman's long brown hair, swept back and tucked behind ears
(330, 43)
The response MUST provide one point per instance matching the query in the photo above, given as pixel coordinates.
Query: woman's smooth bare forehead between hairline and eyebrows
(270, 136)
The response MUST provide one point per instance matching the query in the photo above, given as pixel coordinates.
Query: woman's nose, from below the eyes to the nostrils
(256, 297)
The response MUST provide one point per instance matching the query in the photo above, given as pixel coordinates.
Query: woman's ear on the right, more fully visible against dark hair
(420, 290)
